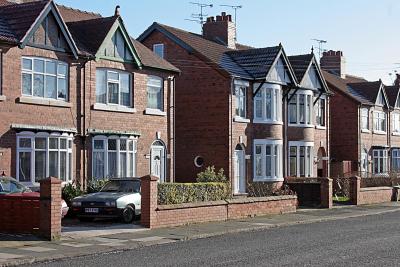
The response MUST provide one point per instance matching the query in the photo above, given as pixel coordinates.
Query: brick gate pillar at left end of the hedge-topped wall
(149, 195)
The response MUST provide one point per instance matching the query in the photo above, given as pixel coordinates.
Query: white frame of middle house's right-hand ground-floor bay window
(308, 158)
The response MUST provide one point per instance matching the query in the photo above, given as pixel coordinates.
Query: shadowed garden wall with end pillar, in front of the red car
(33, 215)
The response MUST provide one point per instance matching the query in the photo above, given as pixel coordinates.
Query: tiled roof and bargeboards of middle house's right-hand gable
(301, 64)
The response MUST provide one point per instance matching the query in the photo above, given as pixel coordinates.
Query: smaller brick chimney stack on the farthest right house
(334, 62)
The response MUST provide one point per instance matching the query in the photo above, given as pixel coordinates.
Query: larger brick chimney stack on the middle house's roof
(220, 29)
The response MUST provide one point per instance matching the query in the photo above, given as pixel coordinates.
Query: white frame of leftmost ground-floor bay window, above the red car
(68, 150)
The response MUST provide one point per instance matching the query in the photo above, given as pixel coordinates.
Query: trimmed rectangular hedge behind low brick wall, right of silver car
(177, 193)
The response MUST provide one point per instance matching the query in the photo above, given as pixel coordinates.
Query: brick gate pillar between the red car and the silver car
(50, 208)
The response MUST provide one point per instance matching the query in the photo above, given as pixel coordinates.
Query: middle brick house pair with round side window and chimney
(255, 112)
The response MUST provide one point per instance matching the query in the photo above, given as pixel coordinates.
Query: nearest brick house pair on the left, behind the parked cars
(79, 98)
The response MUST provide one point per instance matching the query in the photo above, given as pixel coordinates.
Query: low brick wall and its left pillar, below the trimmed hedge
(157, 216)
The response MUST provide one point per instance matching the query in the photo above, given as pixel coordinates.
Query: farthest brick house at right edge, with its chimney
(365, 121)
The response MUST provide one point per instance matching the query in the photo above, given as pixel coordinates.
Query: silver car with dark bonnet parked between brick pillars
(119, 198)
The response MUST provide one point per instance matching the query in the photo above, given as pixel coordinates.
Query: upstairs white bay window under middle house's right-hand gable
(301, 108)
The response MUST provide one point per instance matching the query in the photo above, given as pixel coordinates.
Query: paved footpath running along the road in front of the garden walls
(89, 240)
